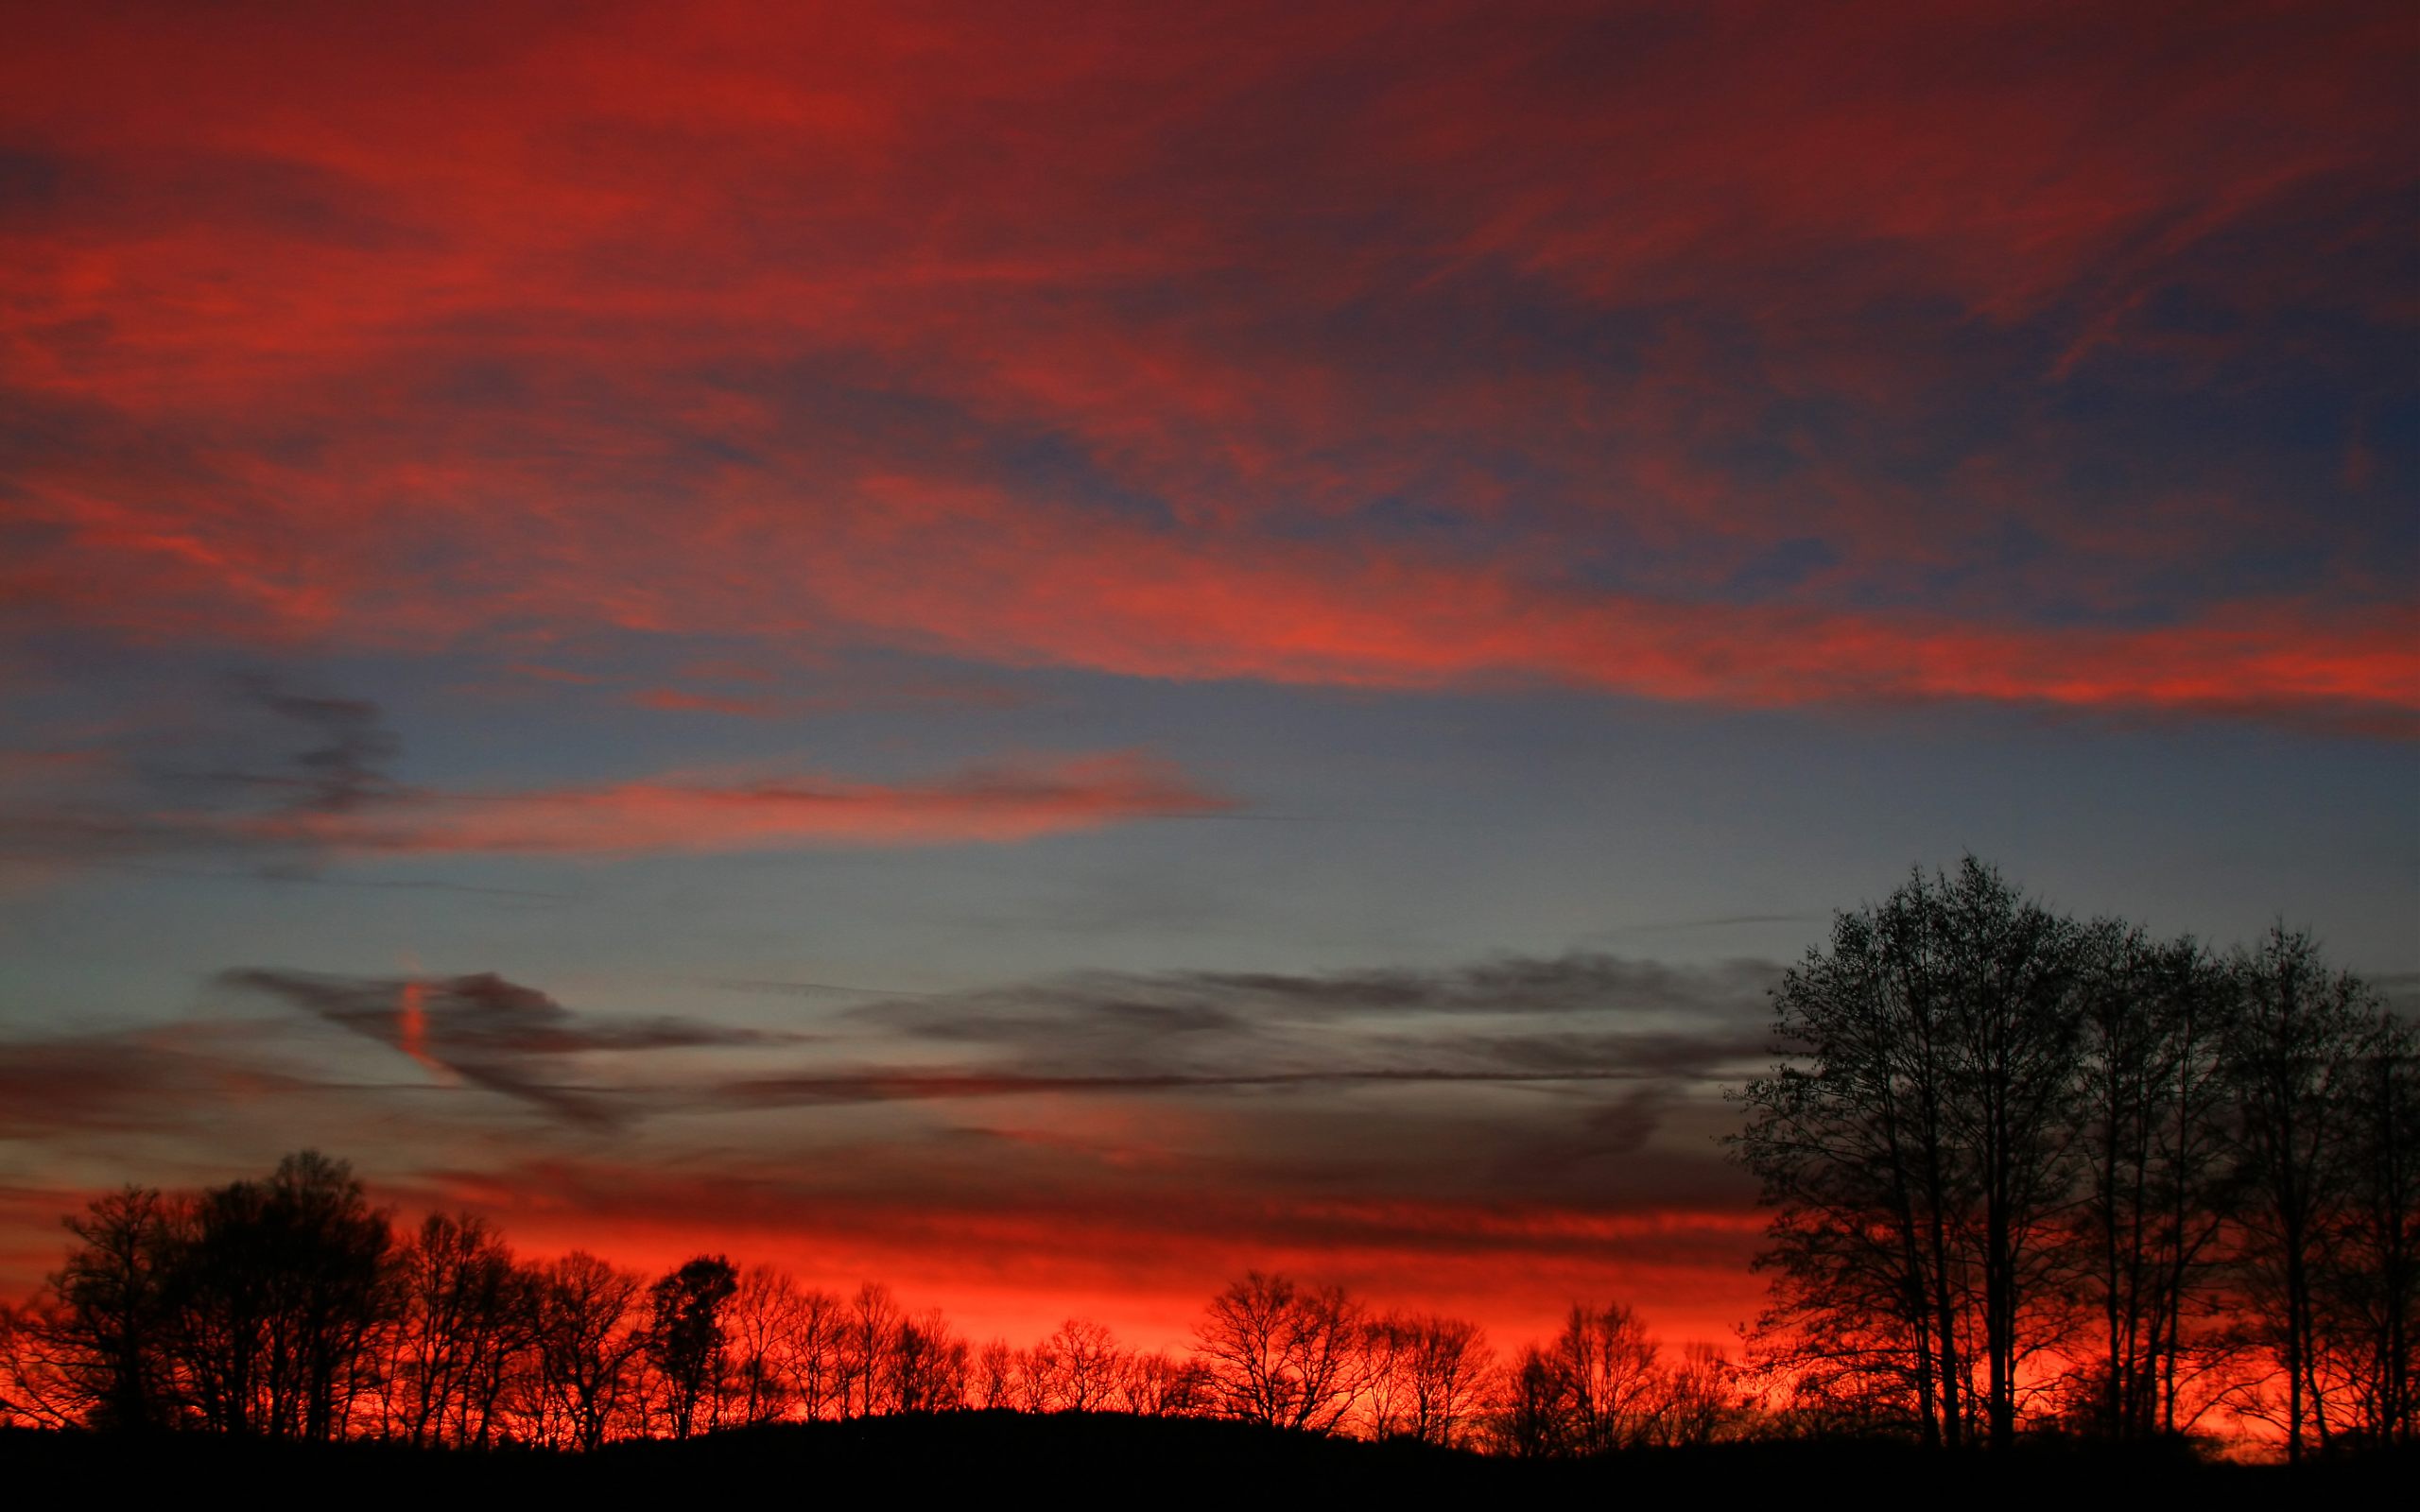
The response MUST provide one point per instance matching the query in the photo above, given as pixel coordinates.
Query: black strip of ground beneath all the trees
(1114, 1460)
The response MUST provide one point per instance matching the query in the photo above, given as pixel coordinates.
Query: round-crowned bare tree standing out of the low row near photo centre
(1286, 1354)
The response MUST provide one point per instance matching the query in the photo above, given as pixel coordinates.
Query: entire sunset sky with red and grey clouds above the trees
(1051, 652)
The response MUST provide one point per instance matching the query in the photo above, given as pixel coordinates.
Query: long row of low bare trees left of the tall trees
(294, 1310)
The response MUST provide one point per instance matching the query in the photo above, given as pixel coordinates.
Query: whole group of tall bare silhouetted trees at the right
(2046, 1172)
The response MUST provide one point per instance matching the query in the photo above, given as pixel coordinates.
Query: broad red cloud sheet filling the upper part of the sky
(1129, 345)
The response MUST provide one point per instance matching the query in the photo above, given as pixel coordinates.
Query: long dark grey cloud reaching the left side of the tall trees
(1606, 1049)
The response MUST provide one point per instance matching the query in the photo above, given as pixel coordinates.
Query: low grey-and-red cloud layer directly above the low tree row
(1129, 1133)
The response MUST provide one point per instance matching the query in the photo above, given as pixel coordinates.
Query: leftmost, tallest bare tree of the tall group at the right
(1915, 1148)
